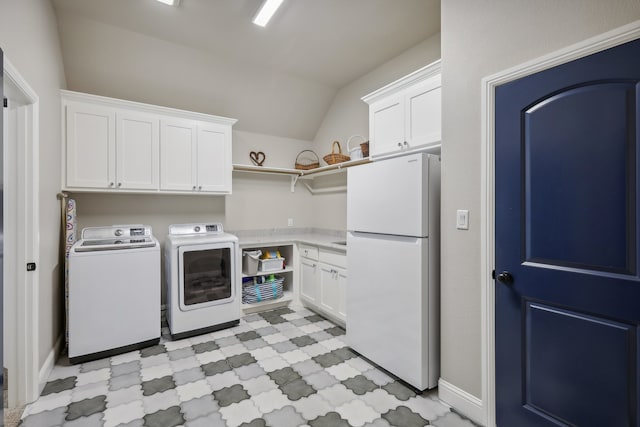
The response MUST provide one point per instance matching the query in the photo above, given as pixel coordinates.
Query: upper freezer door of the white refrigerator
(390, 196)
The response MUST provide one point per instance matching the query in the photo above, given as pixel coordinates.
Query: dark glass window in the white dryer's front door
(206, 276)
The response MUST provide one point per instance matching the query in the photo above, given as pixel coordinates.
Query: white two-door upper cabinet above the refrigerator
(405, 116)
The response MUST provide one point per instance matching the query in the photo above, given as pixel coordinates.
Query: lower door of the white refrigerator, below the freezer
(392, 306)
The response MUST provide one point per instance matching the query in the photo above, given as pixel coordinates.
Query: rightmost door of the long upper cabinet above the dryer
(214, 158)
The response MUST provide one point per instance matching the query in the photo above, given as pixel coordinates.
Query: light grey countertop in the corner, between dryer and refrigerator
(309, 236)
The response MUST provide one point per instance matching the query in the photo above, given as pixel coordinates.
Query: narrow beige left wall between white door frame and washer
(29, 39)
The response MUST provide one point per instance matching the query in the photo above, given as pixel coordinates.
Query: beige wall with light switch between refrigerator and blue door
(480, 39)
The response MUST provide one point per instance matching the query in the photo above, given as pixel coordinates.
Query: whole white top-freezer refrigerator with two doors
(393, 257)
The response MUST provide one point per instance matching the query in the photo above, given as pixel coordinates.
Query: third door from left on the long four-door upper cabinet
(177, 155)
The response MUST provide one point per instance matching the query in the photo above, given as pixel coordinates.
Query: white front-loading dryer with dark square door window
(202, 278)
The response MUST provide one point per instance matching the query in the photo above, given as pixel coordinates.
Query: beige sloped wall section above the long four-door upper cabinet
(115, 62)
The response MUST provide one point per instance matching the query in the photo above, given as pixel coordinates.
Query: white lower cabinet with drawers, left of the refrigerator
(323, 281)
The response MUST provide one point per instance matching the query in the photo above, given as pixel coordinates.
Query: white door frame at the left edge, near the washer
(23, 190)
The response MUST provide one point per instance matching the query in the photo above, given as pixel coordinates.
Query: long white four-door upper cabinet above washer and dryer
(113, 145)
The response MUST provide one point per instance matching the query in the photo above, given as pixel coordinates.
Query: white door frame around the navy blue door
(487, 412)
